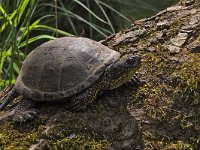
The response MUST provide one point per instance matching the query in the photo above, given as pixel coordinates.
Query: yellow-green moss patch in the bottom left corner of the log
(20, 136)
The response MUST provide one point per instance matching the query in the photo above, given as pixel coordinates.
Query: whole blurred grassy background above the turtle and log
(25, 24)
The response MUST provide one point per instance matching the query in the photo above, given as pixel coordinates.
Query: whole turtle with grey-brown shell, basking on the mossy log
(71, 69)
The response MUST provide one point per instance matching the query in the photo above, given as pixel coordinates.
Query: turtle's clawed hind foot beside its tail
(24, 111)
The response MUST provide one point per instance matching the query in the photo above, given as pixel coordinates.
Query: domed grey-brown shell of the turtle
(63, 67)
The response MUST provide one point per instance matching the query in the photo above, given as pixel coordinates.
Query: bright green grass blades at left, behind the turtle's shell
(16, 28)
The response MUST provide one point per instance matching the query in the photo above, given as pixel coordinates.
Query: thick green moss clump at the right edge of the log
(188, 79)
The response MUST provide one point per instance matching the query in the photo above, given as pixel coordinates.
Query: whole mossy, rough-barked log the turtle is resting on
(163, 112)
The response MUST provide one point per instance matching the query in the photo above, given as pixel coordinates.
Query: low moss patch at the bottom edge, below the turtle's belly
(75, 139)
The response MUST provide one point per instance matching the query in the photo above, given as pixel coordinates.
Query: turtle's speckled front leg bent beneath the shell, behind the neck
(82, 101)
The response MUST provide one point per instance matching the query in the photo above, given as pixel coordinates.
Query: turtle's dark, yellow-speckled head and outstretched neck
(120, 72)
